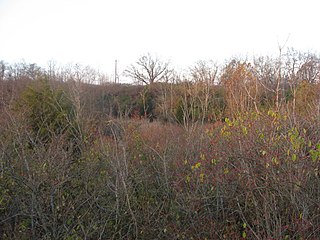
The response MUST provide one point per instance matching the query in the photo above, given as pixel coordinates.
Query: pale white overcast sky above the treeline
(97, 32)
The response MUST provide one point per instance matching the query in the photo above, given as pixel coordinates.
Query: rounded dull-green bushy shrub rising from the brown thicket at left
(49, 112)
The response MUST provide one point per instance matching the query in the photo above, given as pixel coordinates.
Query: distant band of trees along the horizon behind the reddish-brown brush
(204, 92)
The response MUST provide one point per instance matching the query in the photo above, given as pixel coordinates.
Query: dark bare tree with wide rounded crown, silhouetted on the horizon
(148, 70)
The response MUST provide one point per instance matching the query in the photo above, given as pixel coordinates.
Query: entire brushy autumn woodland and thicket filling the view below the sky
(217, 151)
